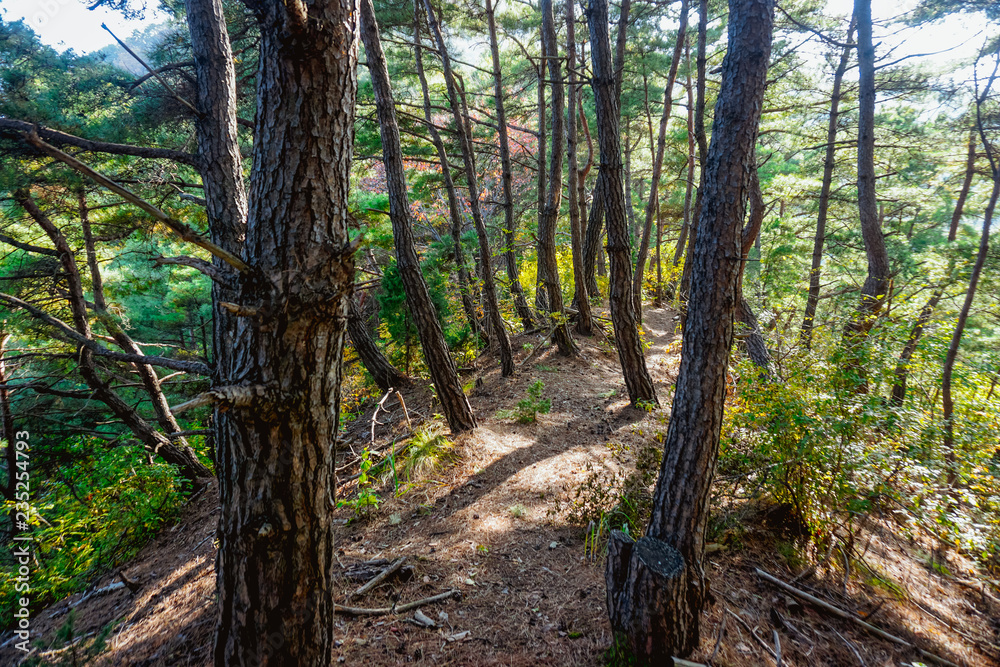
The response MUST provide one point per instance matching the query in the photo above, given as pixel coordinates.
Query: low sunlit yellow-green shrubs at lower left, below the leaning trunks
(90, 514)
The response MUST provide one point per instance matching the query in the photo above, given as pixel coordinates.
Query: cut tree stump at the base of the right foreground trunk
(646, 580)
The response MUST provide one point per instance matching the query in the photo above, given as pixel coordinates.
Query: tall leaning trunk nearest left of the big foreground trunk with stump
(637, 380)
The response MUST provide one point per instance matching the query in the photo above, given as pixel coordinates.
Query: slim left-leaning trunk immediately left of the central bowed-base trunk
(506, 171)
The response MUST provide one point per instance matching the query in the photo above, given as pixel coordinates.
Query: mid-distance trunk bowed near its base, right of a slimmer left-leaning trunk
(548, 221)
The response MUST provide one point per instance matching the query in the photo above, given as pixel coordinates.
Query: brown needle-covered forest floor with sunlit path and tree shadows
(493, 525)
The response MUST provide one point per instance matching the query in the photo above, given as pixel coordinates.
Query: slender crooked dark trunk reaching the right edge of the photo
(963, 315)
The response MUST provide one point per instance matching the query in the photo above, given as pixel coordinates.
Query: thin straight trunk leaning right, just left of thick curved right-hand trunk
(829, 161)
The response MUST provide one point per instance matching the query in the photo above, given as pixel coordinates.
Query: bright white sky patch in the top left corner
(68, 24)
